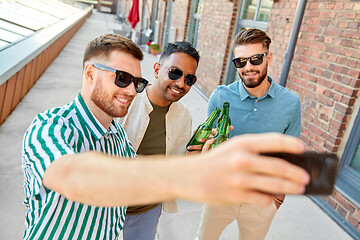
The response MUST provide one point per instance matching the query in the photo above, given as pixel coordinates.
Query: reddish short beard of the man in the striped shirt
(102, 101)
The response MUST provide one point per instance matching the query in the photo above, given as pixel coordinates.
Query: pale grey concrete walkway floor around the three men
(298, 218)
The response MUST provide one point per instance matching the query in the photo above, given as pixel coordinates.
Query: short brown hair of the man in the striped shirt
(108, 42)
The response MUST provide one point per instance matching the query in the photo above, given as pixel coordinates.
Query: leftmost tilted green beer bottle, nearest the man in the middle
(203, 131)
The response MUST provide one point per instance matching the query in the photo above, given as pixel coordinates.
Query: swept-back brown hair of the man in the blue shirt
(251, 36)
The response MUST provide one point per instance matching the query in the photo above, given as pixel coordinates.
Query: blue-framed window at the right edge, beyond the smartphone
(349, 173)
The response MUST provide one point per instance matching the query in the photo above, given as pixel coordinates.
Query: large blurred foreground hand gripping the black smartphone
(234, 172)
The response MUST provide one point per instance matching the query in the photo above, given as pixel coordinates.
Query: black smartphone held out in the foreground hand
(322, 167)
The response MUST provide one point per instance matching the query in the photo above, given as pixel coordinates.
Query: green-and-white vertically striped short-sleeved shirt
(67, 130)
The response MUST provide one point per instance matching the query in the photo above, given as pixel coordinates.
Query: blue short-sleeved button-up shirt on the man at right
(277, 111)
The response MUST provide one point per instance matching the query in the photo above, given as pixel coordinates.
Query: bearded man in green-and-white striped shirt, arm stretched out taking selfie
(77, 171)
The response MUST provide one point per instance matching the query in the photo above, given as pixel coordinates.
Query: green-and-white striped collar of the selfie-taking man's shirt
(96, 128)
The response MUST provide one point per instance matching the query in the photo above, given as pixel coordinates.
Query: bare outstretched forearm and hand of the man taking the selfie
(232, 173)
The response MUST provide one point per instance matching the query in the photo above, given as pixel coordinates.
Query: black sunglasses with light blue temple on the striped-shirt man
(124, 79)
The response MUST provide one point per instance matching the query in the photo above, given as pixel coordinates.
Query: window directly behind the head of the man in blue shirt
(253, 14)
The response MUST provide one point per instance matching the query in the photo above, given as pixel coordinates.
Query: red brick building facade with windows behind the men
(324, 71)
